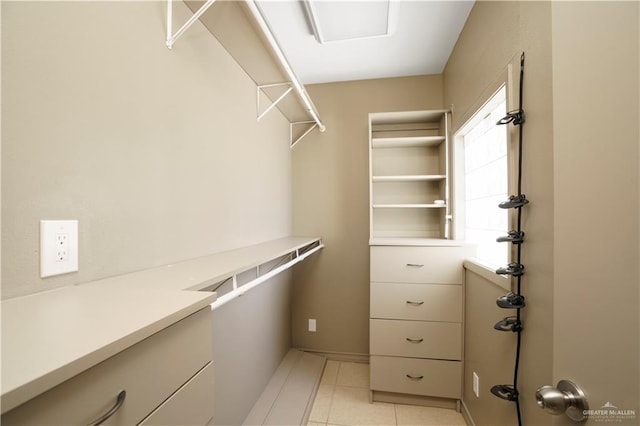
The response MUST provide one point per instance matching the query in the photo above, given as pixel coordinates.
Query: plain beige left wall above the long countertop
(156, 152)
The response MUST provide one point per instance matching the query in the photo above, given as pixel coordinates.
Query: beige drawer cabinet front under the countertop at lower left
(167, 379)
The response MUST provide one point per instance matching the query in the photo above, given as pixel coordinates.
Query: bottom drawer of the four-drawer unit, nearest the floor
(417, 376)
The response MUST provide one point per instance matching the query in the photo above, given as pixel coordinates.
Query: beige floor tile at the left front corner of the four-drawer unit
(350, 406)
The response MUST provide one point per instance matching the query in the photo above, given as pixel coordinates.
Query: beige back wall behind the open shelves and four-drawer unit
(331, 196)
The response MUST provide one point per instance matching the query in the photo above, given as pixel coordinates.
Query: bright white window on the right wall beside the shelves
(484, 170)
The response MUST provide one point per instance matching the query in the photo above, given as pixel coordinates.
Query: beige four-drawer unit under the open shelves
(416, 320)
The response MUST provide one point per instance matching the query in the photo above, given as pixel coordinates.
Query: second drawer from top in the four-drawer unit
(422, 302)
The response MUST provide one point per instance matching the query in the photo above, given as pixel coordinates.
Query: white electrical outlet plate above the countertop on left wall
(58, 247)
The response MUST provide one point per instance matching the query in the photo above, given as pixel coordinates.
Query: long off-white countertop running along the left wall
(51, 336)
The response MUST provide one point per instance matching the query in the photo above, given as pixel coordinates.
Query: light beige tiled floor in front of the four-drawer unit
(343, 400)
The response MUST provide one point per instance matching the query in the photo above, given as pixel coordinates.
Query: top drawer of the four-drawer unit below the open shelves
(436, 265)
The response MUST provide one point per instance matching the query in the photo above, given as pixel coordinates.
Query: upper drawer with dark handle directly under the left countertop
(149, 372)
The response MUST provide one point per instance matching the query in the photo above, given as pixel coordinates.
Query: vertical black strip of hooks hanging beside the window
(515, 269)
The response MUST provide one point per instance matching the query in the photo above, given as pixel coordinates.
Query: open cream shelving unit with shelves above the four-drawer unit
(409, 175)
